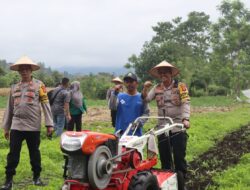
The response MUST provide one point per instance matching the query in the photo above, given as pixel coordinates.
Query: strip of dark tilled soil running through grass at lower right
(225, 154)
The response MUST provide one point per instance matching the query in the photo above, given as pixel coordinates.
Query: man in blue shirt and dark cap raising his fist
(129, 104)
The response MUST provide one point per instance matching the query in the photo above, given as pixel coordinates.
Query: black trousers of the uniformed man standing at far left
(33, 141)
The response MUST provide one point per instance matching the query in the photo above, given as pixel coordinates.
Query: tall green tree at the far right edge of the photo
(231, 46)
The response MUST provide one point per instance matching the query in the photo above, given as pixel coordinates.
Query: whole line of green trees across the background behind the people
(213, 57)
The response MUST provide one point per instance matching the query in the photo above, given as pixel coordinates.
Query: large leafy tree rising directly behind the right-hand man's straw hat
(185, 44)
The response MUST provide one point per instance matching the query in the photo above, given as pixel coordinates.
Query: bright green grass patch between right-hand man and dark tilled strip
(207, 128)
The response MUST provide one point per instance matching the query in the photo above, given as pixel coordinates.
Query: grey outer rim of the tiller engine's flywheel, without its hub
(95, 181)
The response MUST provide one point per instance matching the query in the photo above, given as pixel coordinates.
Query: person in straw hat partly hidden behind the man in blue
(117, 83)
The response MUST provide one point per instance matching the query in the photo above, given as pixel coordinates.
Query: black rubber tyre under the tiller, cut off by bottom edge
(143, 181)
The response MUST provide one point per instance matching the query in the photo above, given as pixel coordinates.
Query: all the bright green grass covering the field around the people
(206, 129)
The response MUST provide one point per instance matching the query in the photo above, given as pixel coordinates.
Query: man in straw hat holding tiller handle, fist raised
(173, 101)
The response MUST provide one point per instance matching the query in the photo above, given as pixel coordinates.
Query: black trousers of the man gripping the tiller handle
(176, 143)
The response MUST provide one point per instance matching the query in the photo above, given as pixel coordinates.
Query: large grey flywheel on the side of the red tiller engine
(100, 168)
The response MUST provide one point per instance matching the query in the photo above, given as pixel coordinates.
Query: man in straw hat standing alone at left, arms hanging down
(22, 120)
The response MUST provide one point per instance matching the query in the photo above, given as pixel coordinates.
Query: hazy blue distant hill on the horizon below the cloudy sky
(93, 70)
